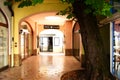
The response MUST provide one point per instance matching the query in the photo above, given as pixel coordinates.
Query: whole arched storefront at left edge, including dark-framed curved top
(3, 40)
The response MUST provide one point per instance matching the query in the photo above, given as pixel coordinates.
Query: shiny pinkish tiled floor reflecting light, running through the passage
(42, 67)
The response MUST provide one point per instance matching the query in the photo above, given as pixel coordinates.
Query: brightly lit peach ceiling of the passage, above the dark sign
(49, 18)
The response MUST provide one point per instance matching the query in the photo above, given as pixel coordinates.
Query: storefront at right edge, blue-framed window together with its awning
(114, 22)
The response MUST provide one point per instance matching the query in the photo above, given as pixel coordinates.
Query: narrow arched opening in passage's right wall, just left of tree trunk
(77, 42)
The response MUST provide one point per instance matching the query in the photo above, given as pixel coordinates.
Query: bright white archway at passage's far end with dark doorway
(51, 40)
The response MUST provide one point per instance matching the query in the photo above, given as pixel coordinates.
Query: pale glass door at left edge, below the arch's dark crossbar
(3, 46)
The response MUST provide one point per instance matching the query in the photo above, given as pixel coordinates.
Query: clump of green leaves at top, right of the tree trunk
(98, 7)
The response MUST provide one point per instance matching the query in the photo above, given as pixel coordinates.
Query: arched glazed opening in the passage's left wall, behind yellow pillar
(26, 35)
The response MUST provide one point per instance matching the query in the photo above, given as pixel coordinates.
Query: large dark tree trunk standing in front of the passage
(96, 61)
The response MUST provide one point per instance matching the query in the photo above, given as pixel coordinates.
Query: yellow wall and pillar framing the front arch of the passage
(21, 13)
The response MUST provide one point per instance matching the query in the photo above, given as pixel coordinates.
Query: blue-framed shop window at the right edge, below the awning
(115, 42)
